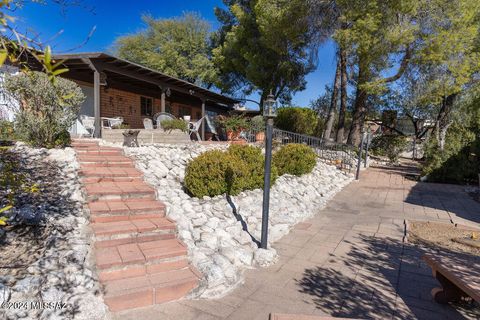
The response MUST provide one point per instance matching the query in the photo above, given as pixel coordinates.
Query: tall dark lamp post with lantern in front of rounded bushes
(269, 112)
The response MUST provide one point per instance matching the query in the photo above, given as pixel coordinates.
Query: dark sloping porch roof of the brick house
(81, 65)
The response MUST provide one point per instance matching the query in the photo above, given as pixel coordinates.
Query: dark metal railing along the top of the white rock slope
(342, 155)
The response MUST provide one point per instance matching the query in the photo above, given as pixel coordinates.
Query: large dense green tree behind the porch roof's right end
(263, 46)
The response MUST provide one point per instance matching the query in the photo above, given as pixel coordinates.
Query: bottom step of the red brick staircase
(147, 290)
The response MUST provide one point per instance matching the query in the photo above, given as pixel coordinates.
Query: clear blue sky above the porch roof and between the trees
(66, 31)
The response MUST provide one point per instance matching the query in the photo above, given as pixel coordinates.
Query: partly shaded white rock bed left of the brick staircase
(46, 252)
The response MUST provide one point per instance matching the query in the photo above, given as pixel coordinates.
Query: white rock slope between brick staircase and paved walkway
(222, 232)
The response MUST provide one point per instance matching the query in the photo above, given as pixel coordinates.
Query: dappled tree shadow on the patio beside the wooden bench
(378, 278)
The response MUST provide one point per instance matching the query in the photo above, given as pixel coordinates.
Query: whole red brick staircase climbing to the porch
(139, 260)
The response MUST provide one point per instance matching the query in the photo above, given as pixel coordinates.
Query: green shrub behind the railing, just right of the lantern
(298, 120)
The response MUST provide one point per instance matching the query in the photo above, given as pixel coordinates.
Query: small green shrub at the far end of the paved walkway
(389, 145)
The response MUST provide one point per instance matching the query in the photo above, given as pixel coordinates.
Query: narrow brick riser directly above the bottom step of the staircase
(142, 269)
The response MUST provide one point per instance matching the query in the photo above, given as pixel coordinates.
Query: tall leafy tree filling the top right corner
(444, 65)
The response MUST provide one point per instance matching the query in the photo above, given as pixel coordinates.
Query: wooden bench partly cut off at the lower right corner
(458, 274)
